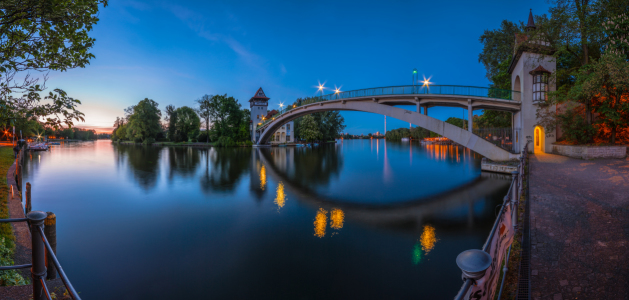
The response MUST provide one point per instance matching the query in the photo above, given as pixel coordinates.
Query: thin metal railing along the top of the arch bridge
(407, 90)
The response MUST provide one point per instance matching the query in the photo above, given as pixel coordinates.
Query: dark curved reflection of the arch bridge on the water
(273, 163)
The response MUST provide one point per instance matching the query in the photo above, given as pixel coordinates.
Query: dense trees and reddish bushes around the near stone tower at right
(590, 43)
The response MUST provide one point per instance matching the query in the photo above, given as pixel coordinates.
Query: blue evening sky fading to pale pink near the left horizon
(174, 52)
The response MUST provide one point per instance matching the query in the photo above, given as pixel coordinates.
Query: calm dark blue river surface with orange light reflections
(362, 219)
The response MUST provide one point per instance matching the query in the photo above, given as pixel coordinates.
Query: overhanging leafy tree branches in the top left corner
(42, 36)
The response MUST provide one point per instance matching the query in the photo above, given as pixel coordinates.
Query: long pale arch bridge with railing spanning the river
(383, 101)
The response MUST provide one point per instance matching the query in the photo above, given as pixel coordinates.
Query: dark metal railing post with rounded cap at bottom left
(38, 270)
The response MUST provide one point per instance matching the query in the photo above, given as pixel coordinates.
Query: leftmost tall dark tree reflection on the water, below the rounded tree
(143, 162)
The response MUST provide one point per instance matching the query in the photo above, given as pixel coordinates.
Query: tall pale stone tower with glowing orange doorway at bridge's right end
(530, 71)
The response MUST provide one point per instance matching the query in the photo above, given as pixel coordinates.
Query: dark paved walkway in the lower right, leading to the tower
(579, 228)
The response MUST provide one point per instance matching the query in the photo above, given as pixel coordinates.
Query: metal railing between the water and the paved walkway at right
(512, 198)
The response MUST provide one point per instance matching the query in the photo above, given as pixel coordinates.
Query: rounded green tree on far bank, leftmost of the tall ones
(144, 122)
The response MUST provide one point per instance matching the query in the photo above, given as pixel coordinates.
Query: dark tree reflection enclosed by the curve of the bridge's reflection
(307, 168)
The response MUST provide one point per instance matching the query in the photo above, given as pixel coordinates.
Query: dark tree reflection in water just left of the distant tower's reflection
(224, 168)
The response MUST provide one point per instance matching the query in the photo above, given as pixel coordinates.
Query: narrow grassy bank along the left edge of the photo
(7, 239)
